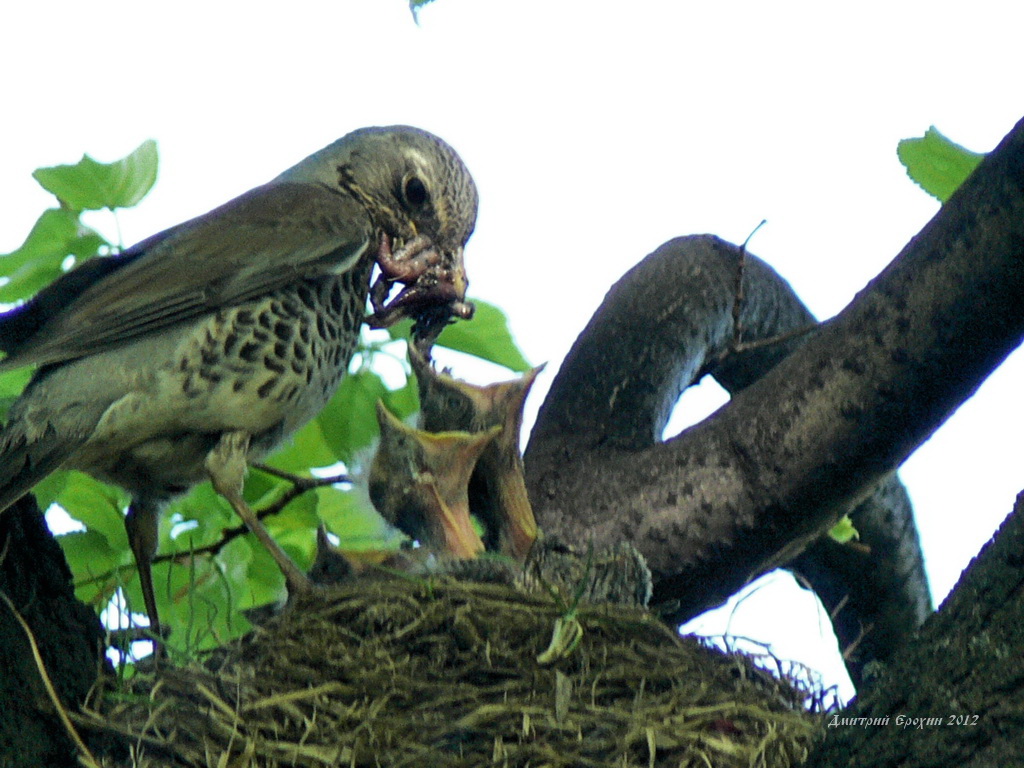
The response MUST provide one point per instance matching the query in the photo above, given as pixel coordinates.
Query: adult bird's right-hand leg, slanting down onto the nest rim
(227, 465)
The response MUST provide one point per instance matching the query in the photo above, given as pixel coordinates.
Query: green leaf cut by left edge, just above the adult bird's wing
(57, 235)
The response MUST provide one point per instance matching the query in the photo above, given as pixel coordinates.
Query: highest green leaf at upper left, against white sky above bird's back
(93, 186)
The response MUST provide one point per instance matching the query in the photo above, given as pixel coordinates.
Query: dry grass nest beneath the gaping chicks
(438, 672)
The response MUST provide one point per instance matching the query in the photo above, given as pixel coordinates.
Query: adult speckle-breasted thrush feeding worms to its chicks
(202, 349)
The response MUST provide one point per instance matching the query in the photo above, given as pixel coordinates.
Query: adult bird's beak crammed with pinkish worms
(435, 283)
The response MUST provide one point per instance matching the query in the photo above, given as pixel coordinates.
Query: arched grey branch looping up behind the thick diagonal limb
(659, 330)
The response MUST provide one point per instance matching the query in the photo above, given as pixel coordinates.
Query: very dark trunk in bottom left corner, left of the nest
(34, 576)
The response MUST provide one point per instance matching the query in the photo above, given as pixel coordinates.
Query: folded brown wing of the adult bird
(268, 238)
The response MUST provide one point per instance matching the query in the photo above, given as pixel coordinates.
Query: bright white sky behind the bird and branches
(595, 131)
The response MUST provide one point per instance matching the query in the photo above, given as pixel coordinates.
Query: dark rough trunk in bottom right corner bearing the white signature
(955, 697)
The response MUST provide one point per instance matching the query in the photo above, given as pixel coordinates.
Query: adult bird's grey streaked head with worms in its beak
(422, 201)
